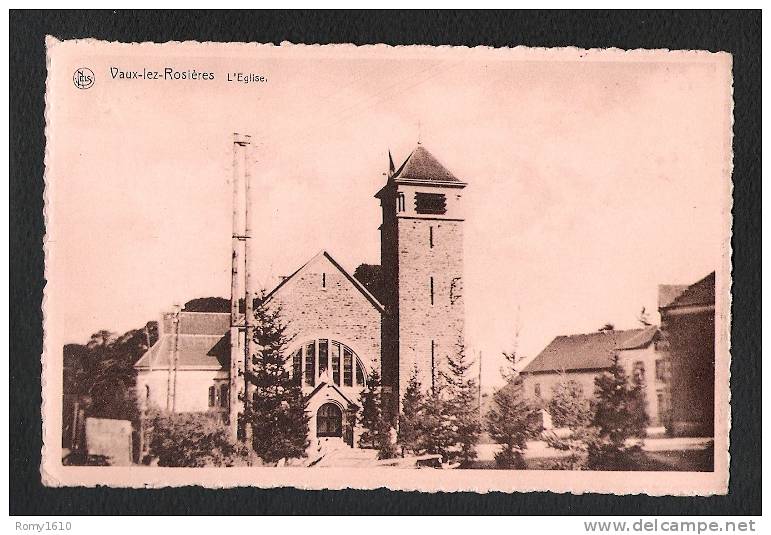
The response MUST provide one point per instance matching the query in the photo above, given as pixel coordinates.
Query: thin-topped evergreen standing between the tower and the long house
(512, 419)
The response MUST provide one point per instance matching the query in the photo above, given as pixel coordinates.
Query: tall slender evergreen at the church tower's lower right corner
(461, 402)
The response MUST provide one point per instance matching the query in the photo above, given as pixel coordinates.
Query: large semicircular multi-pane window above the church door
(323, 356)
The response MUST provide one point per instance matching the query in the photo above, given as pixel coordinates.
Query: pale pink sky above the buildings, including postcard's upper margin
(592, 176)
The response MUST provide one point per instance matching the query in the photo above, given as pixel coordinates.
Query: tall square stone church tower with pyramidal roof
(422, 262)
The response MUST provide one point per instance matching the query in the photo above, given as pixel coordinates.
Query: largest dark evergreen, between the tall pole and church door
(276, 411)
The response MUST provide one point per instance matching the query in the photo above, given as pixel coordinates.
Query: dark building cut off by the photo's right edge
(688, 343)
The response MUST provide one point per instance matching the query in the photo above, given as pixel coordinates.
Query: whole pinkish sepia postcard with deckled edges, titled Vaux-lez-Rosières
(425, 268)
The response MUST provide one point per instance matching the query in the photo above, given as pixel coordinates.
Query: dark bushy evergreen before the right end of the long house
(619, 415)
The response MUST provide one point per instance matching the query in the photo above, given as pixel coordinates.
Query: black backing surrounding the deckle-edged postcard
(738, 32)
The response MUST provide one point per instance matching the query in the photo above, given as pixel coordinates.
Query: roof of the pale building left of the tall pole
(203, 342)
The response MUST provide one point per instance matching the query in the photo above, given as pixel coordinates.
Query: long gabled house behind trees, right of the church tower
(582, 357)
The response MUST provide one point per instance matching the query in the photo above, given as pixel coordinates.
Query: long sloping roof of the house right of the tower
(590, 351)
